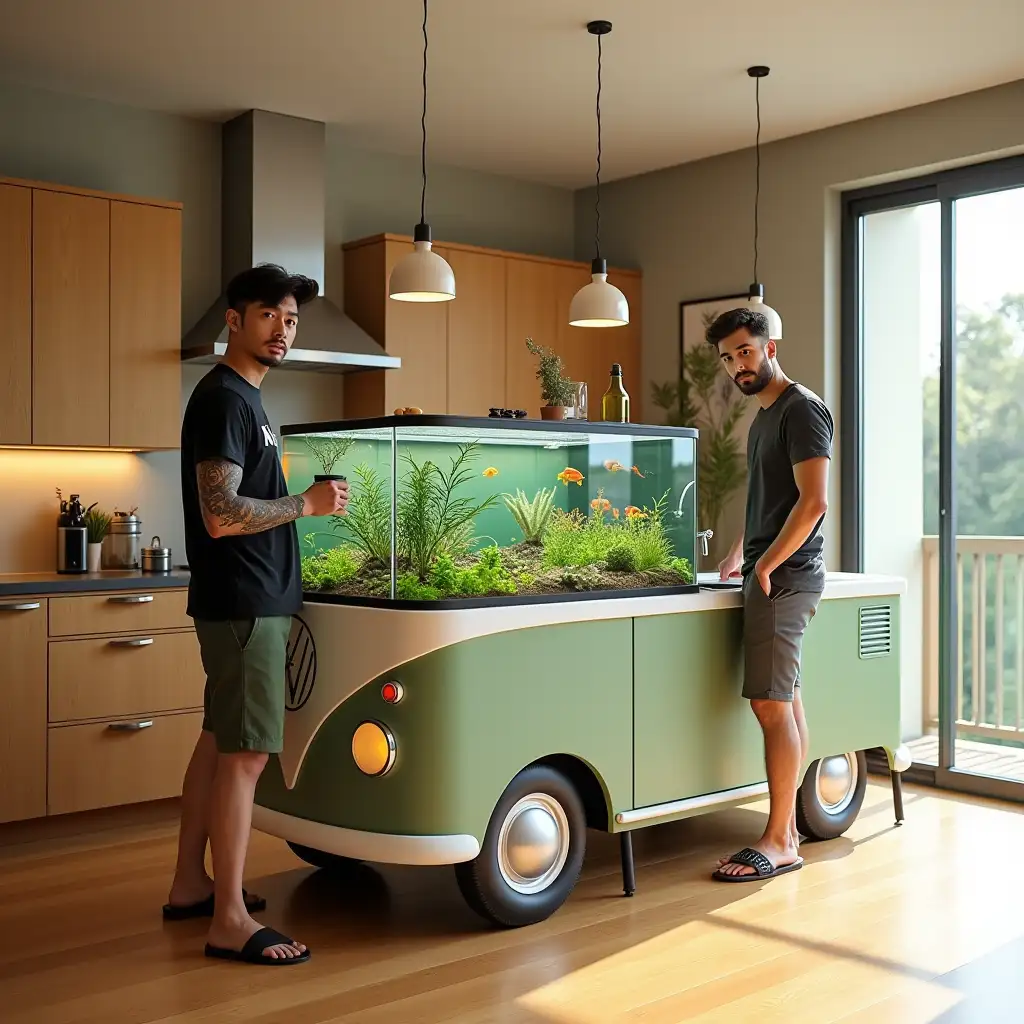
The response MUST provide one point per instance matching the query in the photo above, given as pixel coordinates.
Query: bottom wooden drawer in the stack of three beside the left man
(105, 765)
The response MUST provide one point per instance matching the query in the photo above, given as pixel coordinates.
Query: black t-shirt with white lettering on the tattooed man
(251, 575)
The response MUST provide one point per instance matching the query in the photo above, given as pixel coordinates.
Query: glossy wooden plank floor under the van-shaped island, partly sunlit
(886, 925)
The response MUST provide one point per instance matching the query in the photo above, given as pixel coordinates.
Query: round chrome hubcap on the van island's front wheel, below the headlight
(534, 843)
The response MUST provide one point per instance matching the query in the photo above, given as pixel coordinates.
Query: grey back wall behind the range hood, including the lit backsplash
(77, 142)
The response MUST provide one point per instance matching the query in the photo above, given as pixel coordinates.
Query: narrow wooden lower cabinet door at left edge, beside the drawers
(23, 709)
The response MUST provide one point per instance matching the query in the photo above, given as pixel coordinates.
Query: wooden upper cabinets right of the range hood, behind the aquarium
(467, 356)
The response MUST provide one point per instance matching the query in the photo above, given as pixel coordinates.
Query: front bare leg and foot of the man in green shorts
(231, 823)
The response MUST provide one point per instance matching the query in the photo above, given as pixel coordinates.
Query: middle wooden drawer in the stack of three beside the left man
(113, 677)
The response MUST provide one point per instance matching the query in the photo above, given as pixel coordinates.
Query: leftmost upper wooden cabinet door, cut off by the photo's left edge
(16, 273)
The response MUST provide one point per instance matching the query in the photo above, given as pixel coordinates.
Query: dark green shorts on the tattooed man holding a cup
(244, 703)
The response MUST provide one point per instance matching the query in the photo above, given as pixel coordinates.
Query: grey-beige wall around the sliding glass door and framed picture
(691, 229)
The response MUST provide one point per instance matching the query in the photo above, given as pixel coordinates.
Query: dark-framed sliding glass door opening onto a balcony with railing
(933, 455)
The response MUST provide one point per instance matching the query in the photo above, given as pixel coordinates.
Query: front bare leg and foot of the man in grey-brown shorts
(783, 760)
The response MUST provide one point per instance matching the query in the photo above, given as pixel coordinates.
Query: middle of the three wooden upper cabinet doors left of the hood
(71, 320)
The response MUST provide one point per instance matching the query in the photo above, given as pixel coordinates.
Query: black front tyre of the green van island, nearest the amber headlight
(486, 885)
